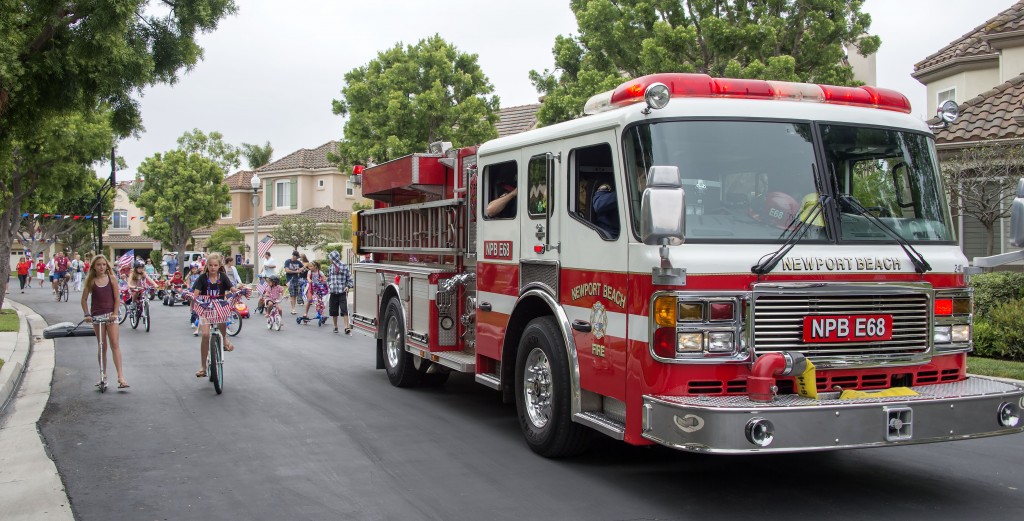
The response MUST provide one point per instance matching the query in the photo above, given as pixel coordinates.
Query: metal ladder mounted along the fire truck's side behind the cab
(422, 229)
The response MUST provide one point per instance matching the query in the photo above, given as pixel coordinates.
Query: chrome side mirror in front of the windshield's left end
(663, 209)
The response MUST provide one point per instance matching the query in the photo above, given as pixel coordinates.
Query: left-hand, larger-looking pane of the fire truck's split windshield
(745, 181)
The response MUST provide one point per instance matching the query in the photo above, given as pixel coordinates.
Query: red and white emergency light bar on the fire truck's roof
(702, 85)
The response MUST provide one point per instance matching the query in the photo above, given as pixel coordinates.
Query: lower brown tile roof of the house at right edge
(992, 115)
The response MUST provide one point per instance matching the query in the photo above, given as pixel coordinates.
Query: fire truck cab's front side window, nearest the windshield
(593, 198)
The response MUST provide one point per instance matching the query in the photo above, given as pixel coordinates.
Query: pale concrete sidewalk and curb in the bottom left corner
(30, 486)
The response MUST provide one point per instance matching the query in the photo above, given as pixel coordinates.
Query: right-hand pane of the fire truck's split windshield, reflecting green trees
(893, 175)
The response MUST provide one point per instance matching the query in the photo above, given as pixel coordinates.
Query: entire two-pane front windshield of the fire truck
(752, 182)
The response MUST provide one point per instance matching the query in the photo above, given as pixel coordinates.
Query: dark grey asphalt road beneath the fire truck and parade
(308, 429)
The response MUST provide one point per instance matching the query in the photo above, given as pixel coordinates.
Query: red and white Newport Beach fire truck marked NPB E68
(669, 270)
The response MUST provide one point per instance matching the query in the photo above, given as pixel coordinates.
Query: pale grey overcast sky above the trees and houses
(271, 72)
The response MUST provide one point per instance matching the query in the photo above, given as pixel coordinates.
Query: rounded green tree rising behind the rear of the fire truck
(413, 96)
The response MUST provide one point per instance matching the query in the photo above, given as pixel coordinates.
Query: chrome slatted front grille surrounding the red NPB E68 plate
(779, 320)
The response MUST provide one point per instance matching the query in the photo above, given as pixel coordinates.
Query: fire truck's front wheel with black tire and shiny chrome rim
(543, 394)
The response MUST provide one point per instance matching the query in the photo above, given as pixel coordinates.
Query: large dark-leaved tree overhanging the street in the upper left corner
(62, 58)
